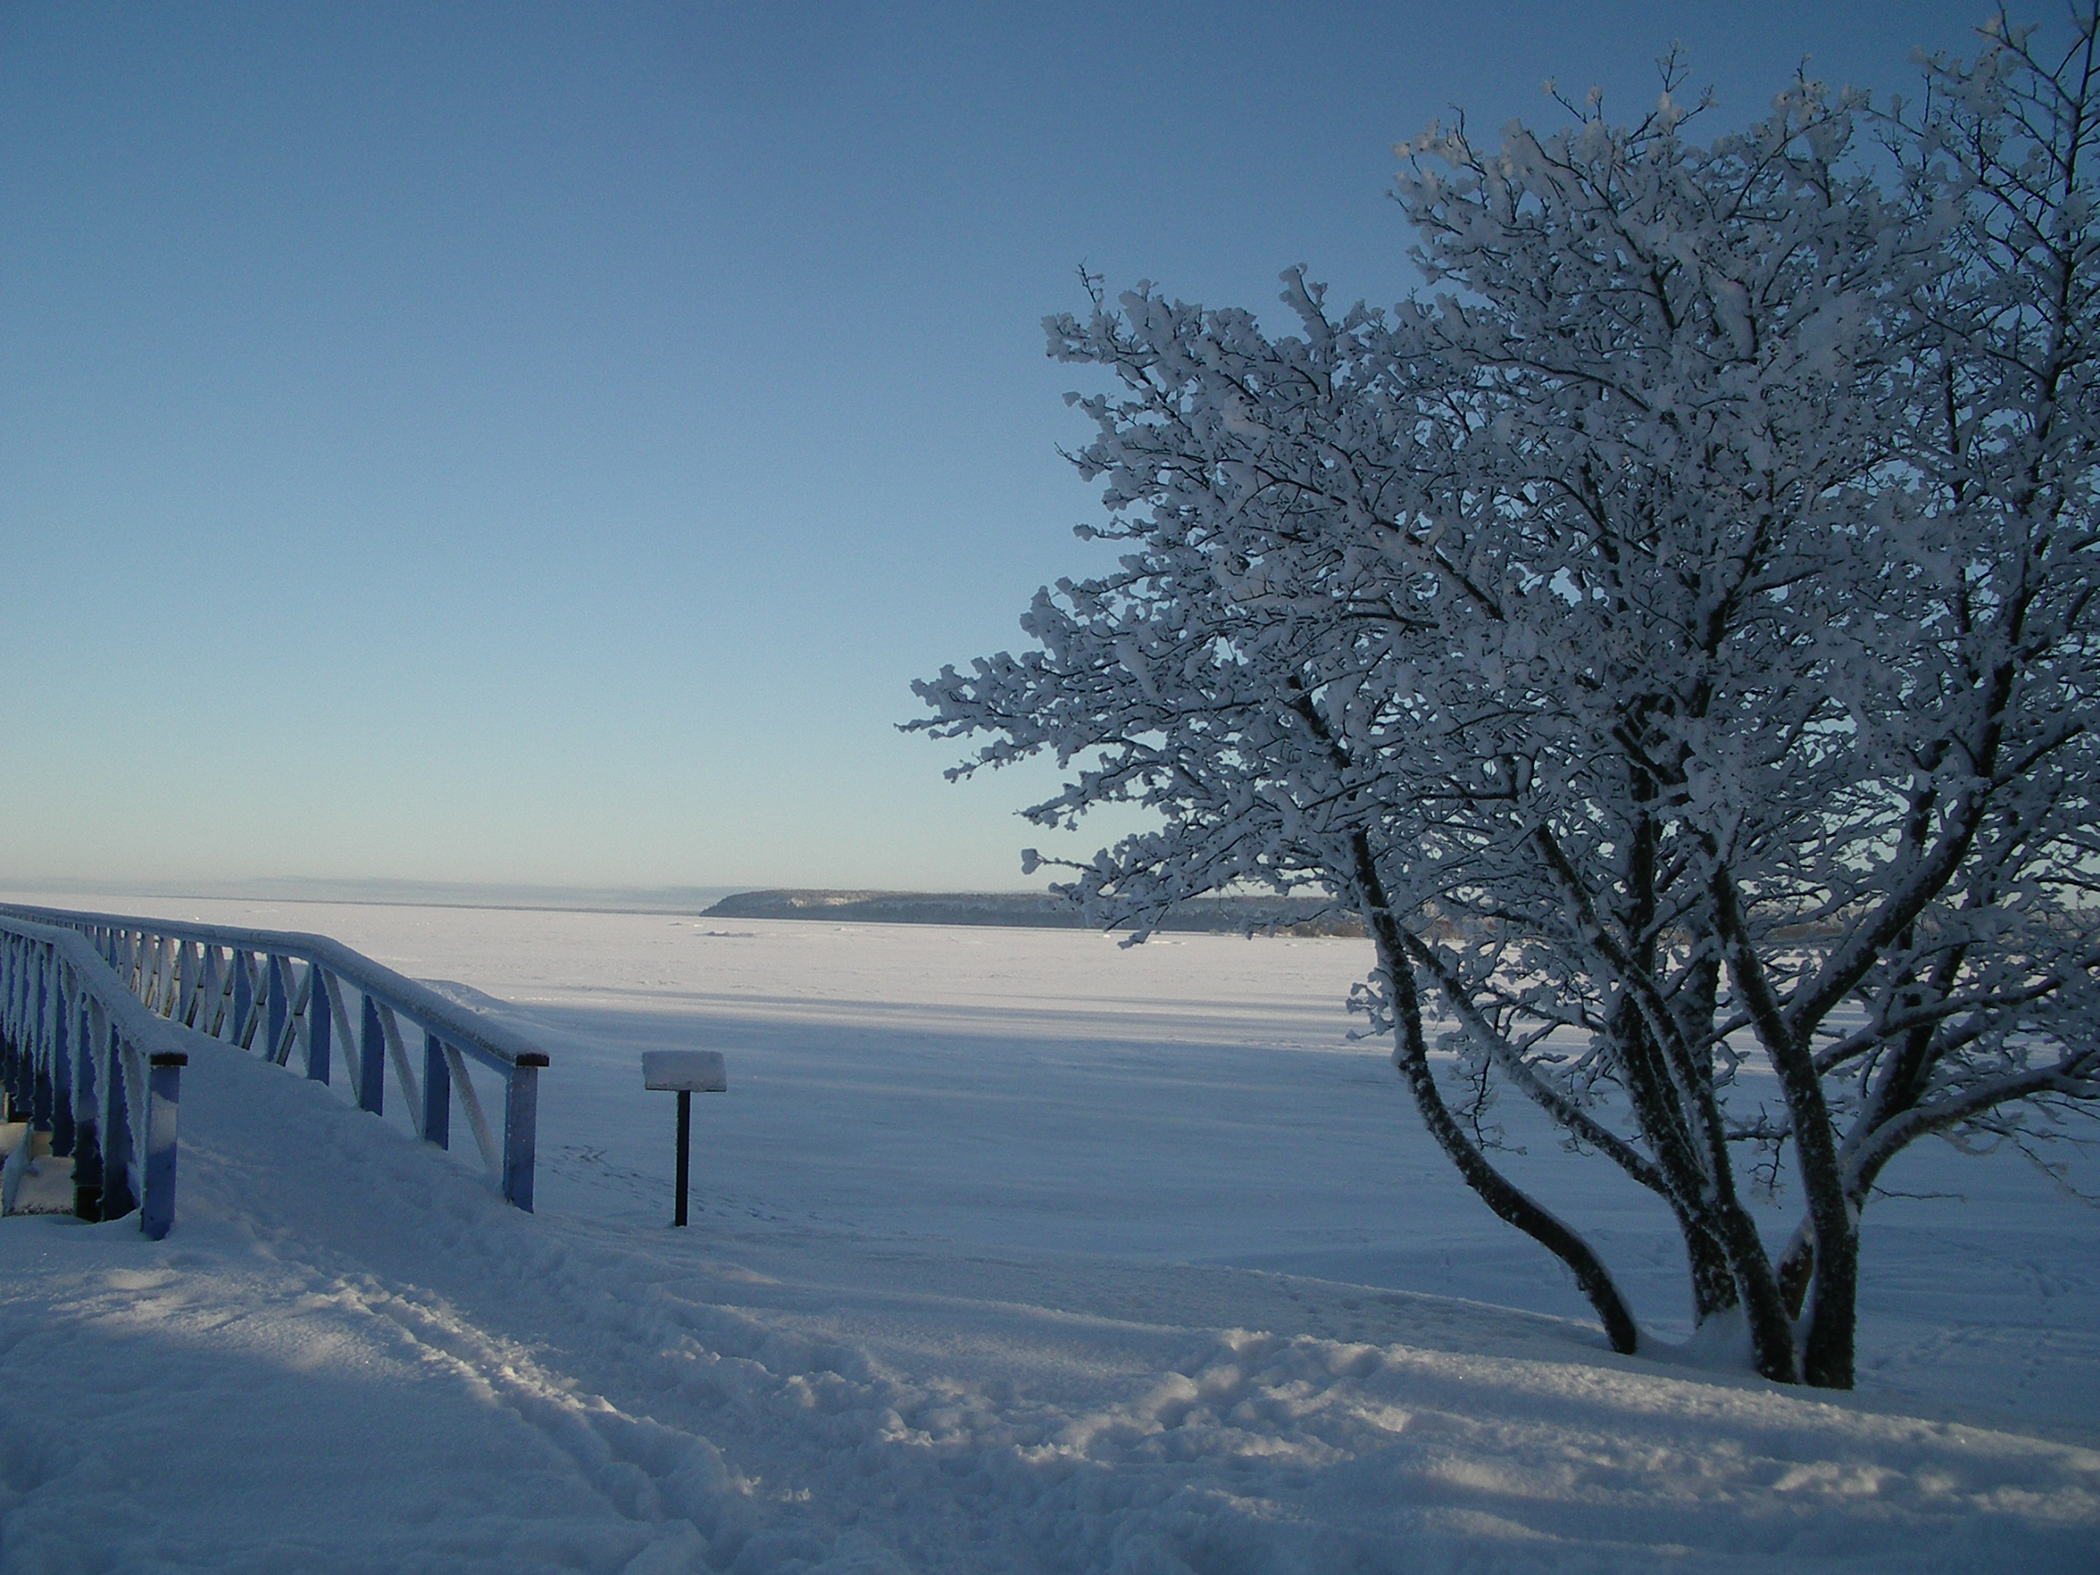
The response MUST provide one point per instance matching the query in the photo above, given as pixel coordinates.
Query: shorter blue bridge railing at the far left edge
(85, 1062)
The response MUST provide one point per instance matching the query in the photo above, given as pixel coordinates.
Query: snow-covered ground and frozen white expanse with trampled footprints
(1013, 1251)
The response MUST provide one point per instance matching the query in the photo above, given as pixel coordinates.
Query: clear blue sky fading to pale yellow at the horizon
(541, 444)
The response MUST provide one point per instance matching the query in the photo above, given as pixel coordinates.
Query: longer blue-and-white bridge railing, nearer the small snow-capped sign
(274, 992)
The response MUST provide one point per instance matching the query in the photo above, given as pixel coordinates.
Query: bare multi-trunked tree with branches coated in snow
(1673, 633)
